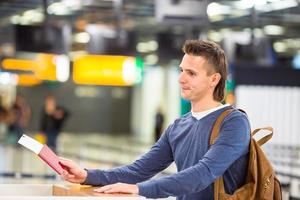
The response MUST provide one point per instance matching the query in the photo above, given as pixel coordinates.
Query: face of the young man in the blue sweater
(195, 83)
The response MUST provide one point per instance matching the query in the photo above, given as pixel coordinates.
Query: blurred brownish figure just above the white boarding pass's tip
(20, 113)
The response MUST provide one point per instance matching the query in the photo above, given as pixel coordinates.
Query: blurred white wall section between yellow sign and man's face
(159, 89)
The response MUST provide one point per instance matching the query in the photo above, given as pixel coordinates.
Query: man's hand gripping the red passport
(72, 172)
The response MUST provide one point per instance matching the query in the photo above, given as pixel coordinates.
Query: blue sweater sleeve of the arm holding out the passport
(157, 159)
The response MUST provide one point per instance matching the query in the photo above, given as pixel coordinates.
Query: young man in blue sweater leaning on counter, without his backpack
(186, 141)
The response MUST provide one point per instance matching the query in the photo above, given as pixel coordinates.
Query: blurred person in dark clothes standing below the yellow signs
(52, 121)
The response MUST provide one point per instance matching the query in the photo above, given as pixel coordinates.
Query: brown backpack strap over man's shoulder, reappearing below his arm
(219, 183)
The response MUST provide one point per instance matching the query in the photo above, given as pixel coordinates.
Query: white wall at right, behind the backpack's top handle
(274, 106)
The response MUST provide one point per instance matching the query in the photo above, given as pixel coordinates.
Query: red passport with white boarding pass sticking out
(43, 151)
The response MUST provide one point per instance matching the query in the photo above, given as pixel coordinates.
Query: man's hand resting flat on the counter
(119, 188)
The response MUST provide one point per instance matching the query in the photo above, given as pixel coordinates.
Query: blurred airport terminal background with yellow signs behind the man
(110, 68)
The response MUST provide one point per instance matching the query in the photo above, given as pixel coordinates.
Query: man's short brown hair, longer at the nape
(215, 57)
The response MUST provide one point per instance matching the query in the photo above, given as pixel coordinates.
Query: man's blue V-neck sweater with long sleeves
(186, 142)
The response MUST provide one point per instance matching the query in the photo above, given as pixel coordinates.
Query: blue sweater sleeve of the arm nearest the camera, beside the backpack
(232, 142)
